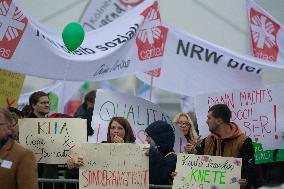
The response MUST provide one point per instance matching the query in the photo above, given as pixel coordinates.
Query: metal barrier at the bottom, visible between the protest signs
(63, 184)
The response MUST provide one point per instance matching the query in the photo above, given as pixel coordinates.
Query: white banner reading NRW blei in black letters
(192, 66)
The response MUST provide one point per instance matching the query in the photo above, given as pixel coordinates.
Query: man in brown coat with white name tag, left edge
(18, 169)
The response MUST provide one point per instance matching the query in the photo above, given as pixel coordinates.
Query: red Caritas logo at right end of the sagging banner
(151, 37)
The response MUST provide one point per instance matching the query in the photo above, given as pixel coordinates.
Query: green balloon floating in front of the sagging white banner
(73, 36)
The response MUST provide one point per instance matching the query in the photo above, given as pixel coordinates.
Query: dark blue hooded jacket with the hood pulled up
(162, 159)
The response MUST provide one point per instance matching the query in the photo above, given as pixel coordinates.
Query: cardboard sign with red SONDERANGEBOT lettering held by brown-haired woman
(114, 166)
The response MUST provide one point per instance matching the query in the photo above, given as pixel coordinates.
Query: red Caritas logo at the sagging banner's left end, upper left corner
(12, 27)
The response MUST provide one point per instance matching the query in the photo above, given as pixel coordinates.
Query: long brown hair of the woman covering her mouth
(129, 135)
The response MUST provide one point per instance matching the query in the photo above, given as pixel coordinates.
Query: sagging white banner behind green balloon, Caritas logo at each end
(134, 42)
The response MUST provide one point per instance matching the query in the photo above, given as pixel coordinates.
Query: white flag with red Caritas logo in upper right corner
(267, 34)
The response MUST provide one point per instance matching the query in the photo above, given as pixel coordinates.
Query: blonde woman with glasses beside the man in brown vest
(185, 124)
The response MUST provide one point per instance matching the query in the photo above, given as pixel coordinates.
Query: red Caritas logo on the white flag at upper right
(263, 35)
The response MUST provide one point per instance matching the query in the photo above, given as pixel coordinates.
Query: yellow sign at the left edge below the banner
(10, 88)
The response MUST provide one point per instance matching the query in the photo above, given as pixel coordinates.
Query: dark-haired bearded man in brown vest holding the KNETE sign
(227, 140)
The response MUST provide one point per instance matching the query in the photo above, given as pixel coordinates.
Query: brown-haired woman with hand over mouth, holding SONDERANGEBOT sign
(119, 131)
